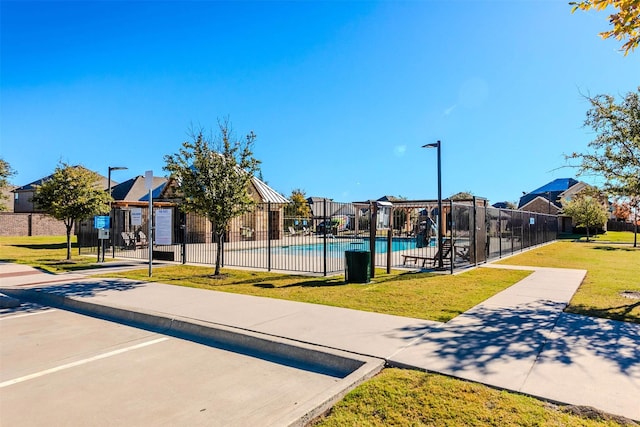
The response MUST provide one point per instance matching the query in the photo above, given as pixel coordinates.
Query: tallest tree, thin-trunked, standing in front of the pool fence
(214, 178)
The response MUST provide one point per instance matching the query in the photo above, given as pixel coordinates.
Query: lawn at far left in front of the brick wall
(46, 252)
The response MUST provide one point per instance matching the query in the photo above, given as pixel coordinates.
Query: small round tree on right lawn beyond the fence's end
(587, 208)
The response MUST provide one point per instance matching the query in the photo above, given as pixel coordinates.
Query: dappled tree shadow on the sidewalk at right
(485, 335)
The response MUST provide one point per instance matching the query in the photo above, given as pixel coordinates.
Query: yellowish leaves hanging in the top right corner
(625, 21)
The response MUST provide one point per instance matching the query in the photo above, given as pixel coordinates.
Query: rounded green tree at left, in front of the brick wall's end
(72, 193)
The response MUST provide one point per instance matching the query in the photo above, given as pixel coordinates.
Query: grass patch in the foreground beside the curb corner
(398, 397)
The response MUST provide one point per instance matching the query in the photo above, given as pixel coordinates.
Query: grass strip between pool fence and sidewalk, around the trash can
(418, 295)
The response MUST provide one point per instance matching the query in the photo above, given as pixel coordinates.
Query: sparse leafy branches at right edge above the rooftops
(615, 151)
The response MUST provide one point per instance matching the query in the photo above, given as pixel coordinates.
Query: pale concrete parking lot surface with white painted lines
(63, 368)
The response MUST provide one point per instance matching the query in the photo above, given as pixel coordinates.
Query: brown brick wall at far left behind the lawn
(30, 224)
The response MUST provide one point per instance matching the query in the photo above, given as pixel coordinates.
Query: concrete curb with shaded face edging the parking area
(350, 369)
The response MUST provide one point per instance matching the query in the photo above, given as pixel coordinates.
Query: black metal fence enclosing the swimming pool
(277, 237)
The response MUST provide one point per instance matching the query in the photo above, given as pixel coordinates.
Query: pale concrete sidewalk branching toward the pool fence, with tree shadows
(519, 339)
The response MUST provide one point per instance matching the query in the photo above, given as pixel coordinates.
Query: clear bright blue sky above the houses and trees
(341, 94)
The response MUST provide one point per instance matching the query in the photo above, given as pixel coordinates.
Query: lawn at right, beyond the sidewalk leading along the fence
(612, 270)
